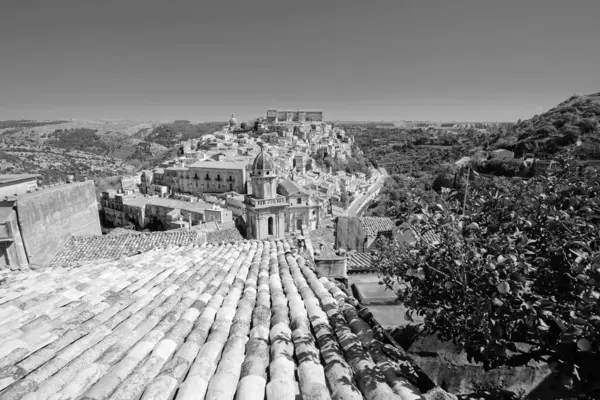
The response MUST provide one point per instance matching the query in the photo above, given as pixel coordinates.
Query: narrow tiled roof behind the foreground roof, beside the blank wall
(108, 247)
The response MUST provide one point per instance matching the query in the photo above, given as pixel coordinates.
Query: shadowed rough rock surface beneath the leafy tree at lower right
(450, 369)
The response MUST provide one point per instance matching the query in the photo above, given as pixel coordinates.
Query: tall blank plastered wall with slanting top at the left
(49, 217)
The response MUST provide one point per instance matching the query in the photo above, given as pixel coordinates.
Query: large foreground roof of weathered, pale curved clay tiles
(249, 320)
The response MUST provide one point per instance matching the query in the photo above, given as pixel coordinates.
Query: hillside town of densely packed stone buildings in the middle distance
(217, 179)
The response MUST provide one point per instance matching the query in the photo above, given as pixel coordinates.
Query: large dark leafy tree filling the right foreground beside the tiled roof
(516, 279)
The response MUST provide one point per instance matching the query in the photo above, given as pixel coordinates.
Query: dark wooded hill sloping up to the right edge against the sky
(558, 130)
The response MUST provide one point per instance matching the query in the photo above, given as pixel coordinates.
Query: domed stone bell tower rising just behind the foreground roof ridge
(265, 209)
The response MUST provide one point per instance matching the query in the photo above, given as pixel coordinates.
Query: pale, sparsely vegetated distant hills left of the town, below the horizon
(111, 147)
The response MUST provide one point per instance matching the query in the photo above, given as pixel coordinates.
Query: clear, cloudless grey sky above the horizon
(439, 60)
